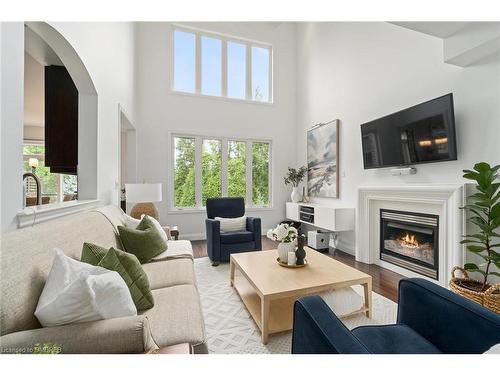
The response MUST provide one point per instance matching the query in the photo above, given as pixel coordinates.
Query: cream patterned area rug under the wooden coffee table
(231, 329)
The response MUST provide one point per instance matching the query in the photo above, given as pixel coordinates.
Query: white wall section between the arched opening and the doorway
(107, 50)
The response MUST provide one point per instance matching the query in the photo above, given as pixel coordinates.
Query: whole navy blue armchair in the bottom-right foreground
(431, 319)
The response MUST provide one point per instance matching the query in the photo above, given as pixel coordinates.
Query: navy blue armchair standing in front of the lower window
(221, 245)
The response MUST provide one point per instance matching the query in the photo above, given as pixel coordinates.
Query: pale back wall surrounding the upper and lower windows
(161, 111)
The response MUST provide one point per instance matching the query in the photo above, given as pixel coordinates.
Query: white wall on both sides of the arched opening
(107, 51)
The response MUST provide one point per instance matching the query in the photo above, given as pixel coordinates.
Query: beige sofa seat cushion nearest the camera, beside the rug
(176, 317)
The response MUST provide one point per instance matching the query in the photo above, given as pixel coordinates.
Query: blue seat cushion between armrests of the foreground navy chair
(393, 339)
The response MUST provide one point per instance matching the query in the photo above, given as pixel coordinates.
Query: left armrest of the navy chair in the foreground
(316, 330)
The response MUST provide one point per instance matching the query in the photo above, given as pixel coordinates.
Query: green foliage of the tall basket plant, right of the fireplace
(484, 209)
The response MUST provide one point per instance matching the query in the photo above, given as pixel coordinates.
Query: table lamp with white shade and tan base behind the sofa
(144, 195)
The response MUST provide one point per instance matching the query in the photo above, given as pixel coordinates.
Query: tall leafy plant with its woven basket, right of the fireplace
(484, 213)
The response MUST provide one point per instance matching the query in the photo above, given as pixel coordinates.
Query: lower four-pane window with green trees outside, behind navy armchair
(211, 167)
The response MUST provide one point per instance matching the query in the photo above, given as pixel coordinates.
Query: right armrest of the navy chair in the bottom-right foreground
(451, 322)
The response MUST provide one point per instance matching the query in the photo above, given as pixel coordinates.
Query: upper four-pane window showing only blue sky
(220, 65)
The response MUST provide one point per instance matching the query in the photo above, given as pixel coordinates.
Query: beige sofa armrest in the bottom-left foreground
(129, 334)
